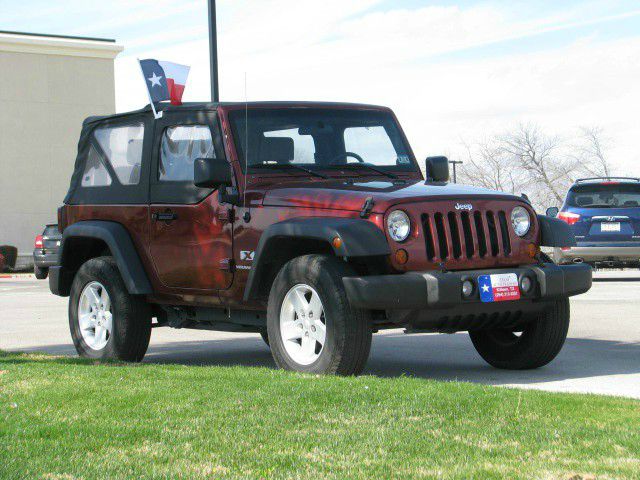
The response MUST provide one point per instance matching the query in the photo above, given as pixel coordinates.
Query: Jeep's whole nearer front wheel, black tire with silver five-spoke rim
(311, 325)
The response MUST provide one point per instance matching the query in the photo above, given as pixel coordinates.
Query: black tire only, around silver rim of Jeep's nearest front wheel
(348, 329)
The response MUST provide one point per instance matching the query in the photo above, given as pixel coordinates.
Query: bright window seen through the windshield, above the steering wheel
(372, 144)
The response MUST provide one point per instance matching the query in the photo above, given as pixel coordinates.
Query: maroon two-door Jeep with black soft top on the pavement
(309, 223)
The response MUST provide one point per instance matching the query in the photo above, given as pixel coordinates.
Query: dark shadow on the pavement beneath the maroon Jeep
(437, 357)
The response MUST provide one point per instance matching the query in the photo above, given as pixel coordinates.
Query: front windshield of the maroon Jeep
(319, 139)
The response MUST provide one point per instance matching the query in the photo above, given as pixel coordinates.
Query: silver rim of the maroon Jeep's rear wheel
(95, 317)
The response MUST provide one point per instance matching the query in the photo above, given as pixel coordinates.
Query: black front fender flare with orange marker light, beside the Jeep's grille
(286, 240)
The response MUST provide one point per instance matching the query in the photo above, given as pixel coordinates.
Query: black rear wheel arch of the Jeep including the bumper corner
(84, 240)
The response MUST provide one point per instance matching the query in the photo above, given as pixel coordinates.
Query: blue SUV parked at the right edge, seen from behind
(604, 214)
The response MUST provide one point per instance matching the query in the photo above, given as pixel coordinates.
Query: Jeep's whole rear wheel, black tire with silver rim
(105, 321)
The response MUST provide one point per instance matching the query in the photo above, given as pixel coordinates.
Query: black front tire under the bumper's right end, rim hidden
(540, 341)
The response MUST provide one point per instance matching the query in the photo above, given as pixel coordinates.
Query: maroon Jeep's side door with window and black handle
(190, 235)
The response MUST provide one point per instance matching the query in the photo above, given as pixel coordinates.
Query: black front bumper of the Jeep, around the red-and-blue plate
(443, 290)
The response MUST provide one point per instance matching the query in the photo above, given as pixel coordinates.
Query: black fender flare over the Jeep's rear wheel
(121, 246)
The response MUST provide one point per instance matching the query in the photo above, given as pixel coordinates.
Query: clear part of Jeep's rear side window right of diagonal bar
(122, 145)
